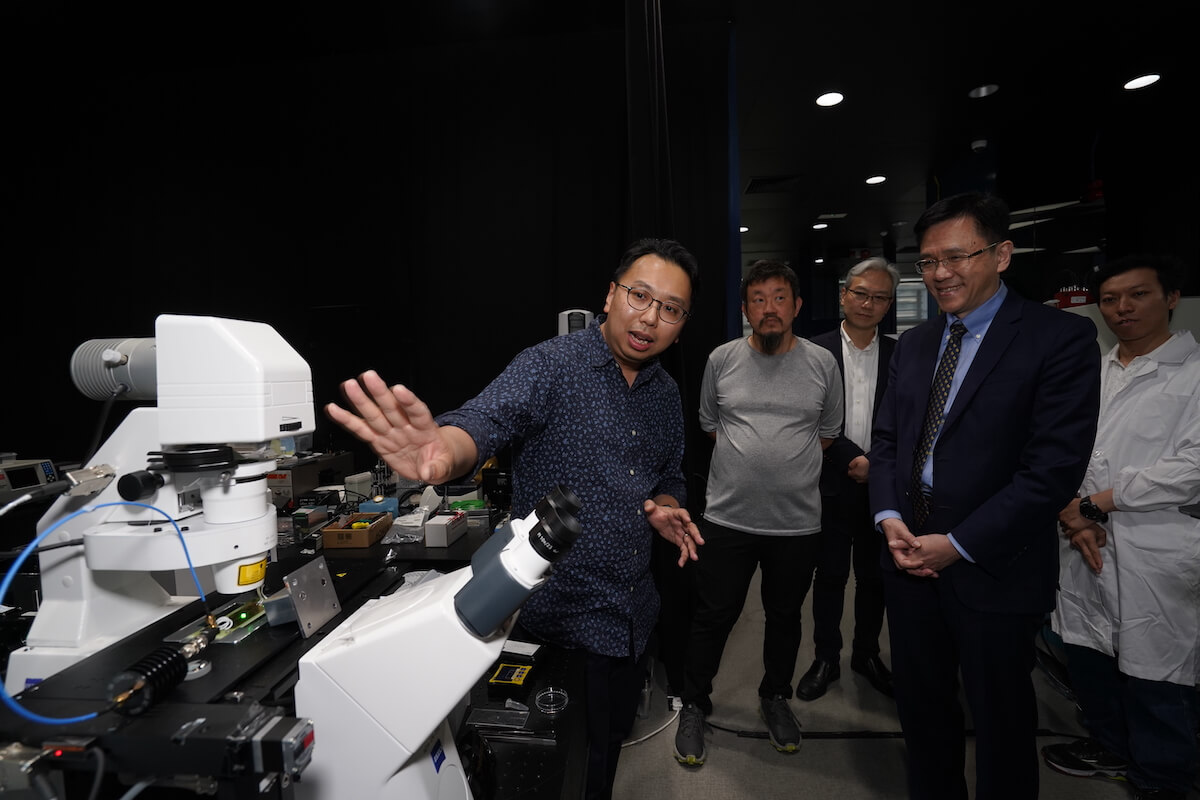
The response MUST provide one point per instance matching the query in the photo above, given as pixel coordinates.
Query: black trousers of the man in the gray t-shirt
(722, 580)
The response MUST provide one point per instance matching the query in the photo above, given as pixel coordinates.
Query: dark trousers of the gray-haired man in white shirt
(848, 537)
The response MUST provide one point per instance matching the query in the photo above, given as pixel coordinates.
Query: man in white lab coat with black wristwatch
(1129, 610)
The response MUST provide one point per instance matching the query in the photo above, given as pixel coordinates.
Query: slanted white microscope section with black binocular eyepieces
(381, 687)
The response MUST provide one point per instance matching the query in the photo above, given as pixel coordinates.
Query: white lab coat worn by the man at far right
(1144, 607)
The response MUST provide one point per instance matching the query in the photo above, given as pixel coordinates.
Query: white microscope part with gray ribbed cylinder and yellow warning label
(231, 395)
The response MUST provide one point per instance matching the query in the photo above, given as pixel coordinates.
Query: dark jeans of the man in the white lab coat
(1151, 724)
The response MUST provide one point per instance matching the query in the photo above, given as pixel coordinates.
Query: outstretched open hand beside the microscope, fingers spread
(401, 431)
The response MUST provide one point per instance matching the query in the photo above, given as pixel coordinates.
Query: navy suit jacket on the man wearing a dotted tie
(1011, 455)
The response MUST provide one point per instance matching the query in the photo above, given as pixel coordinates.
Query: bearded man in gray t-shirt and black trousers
(772, 404)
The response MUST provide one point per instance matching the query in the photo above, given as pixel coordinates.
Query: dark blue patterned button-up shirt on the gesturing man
(574, 420)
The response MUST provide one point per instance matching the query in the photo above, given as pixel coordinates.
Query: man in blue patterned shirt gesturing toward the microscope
(595, 412)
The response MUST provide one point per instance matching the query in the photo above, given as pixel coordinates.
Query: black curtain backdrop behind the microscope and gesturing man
(423, 201)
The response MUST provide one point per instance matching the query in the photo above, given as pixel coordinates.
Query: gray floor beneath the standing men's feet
(851, 747)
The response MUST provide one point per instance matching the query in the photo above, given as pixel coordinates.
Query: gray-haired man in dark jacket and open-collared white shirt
(848, 532)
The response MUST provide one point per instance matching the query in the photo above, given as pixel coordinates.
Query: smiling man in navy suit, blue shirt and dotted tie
(969, 501)
